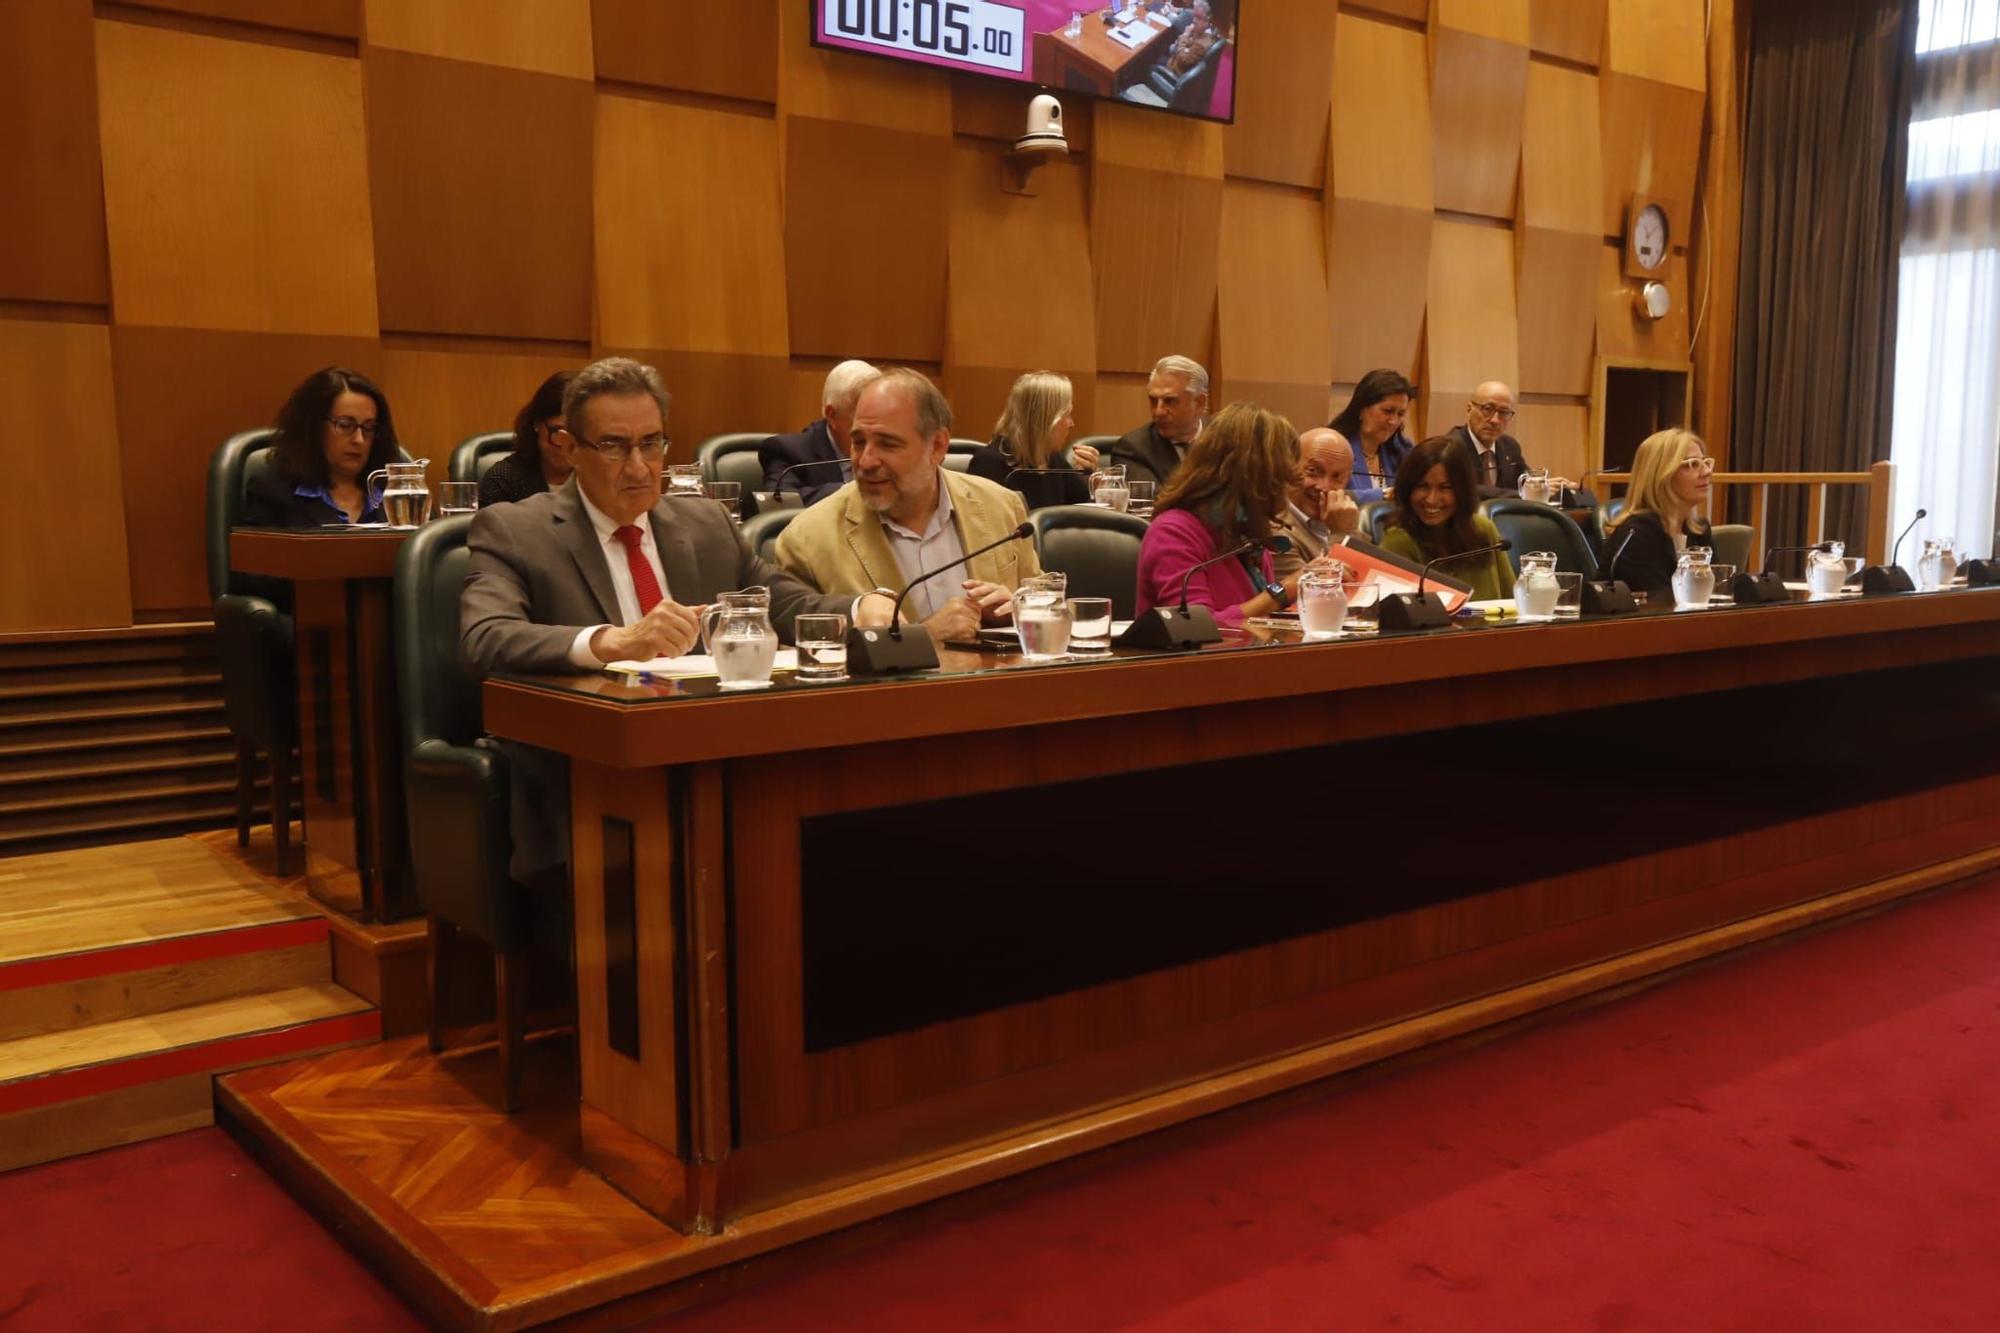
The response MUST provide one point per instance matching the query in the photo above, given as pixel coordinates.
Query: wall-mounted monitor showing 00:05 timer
(1165, 55)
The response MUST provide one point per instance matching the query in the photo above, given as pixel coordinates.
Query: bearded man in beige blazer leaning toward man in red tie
(907, 513)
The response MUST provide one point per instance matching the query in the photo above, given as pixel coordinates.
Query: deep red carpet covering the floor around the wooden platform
(1803, 1138)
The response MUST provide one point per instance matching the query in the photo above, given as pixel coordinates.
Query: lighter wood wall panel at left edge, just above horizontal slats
(63, 541)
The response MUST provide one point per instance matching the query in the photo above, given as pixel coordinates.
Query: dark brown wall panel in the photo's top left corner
(49, 155)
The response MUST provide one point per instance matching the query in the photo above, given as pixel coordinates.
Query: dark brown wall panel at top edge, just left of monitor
(723, 49)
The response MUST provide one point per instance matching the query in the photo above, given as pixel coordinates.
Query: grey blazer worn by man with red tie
(539, 575)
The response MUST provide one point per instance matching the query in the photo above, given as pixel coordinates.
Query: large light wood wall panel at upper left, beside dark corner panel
(211, 221)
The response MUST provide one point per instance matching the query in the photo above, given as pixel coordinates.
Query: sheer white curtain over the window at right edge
(1947, 435)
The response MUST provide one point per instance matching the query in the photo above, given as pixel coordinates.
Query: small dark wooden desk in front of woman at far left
(349, 726)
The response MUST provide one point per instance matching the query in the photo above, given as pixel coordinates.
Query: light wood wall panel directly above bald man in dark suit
(1471, 331)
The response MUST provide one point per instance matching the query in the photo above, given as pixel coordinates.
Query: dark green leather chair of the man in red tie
(459, 798)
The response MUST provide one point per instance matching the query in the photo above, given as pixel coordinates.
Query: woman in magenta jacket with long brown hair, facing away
(1229, 491)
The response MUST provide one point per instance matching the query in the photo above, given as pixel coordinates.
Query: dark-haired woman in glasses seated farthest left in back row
(333, 433)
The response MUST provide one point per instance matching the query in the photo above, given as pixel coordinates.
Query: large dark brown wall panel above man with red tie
(479, 179)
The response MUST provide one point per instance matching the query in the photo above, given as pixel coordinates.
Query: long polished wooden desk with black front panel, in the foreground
(851, 948)
